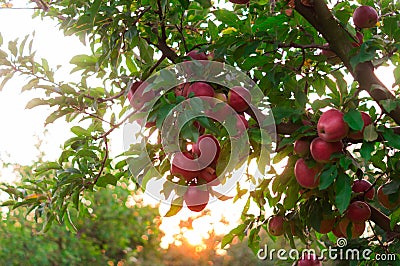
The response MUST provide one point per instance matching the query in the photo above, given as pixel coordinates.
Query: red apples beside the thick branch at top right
(363, 17)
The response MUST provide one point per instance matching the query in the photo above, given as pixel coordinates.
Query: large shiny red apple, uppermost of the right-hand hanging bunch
(331, 127)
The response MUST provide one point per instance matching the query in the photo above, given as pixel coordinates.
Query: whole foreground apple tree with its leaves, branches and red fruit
(274, 103)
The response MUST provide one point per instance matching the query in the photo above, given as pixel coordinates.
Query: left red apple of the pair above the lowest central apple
(184, 164)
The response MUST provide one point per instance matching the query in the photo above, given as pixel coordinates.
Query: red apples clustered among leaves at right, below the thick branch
(332, 129)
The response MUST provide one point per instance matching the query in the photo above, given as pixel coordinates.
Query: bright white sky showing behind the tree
(22, 128)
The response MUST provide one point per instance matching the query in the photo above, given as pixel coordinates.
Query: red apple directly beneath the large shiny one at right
(322, 151)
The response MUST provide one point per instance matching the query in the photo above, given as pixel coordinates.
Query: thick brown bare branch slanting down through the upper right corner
(340, 40)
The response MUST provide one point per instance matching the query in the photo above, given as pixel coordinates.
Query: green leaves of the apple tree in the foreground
(278, 44)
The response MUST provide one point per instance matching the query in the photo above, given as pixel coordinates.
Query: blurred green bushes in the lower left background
(113, 229)
